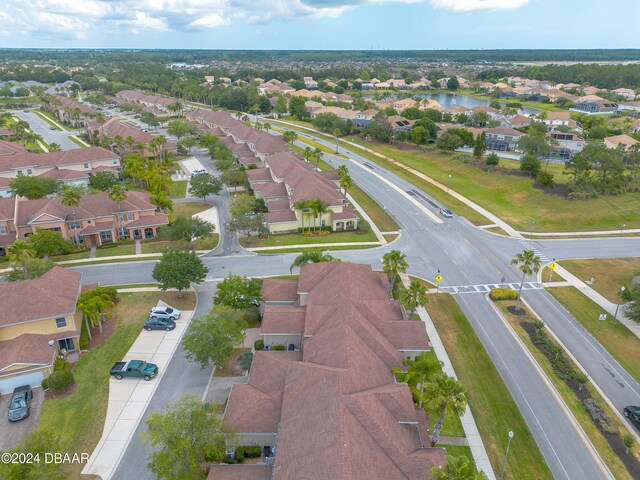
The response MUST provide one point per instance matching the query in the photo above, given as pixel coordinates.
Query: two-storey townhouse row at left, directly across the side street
(97, 220)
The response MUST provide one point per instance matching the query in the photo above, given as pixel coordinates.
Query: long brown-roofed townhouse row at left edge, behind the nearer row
(72, 167)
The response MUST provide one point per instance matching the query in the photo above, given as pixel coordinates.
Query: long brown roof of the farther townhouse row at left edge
(66, 157)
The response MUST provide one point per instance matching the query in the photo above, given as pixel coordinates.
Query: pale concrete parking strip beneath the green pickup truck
(129, 398)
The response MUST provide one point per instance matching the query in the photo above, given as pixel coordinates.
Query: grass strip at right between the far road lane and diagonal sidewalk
(619, 341)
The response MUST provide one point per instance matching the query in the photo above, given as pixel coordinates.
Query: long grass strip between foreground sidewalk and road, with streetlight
(493, 407)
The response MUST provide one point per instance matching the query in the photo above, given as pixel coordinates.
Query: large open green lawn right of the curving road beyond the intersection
(511, 198)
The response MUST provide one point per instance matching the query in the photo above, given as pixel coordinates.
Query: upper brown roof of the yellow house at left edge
(56, 293)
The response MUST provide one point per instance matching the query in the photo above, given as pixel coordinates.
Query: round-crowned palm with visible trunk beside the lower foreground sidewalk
(447, 395)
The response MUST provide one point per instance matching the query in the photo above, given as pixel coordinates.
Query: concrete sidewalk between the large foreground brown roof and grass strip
(471, 432)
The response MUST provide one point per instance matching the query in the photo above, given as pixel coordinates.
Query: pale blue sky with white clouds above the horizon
(320, 24)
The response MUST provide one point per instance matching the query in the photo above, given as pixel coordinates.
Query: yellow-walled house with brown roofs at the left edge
(36, 326)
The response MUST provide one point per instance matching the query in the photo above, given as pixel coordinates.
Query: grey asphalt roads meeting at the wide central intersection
(465, 255)
